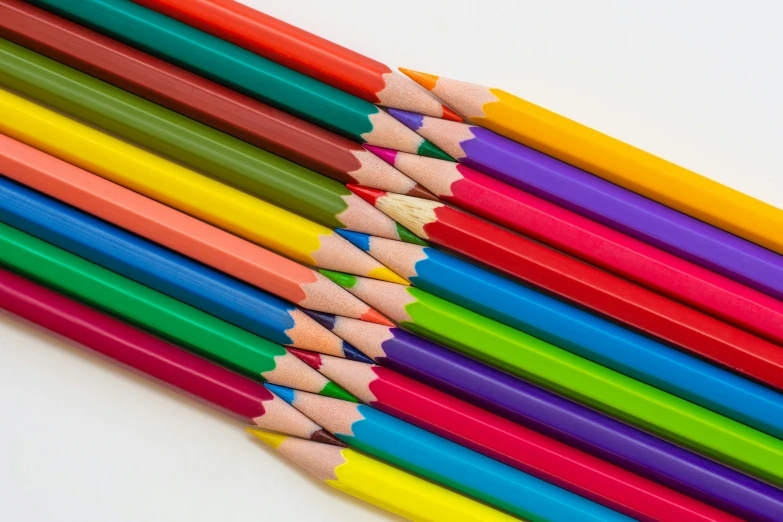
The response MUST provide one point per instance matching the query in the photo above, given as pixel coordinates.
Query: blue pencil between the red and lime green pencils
(587, 335)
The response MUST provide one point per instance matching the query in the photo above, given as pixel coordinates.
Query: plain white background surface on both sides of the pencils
(697, 82)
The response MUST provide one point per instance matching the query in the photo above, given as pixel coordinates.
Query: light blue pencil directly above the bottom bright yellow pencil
(444, 462)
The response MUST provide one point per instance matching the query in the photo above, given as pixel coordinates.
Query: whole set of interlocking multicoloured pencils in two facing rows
(508, 317)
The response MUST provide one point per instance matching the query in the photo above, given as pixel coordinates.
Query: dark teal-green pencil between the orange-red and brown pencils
(243, 71)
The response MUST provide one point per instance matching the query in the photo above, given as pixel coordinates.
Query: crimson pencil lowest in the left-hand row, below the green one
(207, 382)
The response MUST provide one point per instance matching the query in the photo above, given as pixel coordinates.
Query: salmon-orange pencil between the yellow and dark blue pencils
(177, 231)
